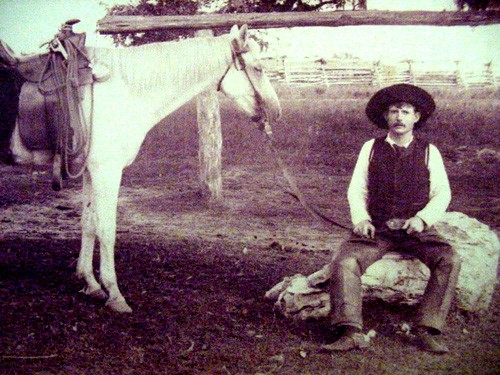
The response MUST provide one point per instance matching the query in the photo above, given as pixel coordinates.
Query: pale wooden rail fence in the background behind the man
(357, 72)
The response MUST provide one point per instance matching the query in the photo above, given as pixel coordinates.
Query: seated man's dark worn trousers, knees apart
(357, 254)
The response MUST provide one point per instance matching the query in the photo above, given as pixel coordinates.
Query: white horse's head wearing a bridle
(245, 81)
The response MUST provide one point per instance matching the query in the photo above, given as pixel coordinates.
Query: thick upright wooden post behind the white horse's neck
(209, 138)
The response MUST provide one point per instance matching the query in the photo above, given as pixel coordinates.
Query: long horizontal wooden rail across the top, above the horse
(121, 24)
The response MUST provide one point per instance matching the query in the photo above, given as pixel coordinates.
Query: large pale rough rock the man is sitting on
(396, 279)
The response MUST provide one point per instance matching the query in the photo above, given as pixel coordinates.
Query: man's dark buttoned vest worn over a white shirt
(398, 186)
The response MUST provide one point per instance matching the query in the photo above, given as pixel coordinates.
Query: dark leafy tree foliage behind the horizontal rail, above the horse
(190, 7)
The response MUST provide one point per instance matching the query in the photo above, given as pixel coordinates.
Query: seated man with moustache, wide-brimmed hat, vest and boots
(399, 189)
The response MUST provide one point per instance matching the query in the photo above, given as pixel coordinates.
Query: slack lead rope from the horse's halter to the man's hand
(296, 192)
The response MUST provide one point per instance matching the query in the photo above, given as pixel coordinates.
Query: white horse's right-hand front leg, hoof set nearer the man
(105, 186)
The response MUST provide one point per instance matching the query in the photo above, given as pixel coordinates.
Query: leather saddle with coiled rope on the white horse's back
(48, 111)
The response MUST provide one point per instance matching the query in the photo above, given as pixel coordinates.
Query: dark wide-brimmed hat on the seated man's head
(382, 99)
